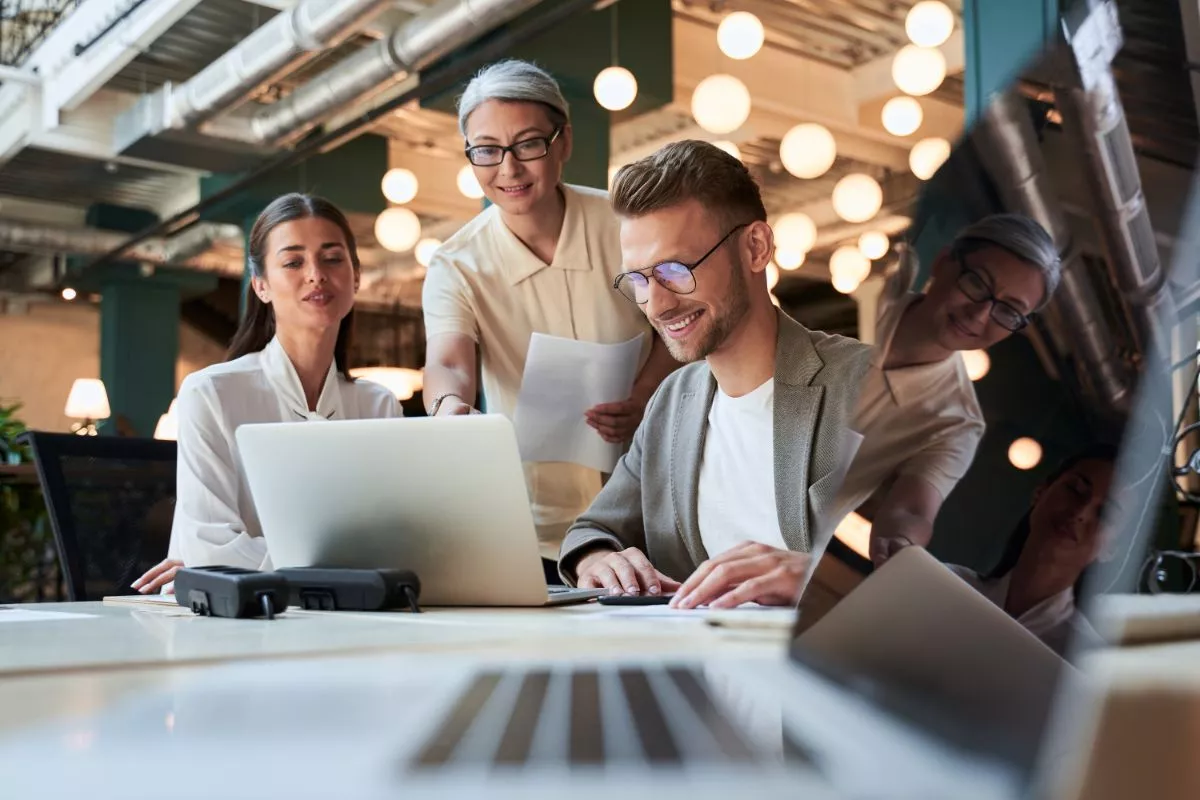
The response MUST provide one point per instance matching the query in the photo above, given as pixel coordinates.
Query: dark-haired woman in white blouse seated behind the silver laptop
(287, 363)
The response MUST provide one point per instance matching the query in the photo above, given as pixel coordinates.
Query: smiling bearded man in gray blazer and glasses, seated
(737, 462)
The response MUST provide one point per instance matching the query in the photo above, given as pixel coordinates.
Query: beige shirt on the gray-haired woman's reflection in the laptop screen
(922, 422)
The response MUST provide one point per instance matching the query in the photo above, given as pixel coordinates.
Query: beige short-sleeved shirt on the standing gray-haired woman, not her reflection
(487, 285)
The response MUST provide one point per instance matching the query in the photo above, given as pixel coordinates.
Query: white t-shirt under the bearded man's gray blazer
(736, 501)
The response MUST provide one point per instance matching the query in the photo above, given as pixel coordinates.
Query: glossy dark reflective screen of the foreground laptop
(1037, 425)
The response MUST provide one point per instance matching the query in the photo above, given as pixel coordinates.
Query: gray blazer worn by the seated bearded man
(650, 503)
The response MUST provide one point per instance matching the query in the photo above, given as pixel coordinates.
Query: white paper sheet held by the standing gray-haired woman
(563, 380)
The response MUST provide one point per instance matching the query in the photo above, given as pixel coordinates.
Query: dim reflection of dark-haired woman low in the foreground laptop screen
(1060, 538)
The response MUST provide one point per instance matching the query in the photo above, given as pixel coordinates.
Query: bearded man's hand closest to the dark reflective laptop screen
(747, 574)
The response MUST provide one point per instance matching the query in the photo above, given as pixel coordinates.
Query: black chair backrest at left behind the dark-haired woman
(112, 502)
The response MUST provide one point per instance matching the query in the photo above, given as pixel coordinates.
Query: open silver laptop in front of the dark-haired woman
(445, 498)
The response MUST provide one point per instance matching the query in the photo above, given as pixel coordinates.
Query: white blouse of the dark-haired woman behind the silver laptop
(215, 521)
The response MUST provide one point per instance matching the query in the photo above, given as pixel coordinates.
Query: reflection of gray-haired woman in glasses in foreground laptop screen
(919, 414)
